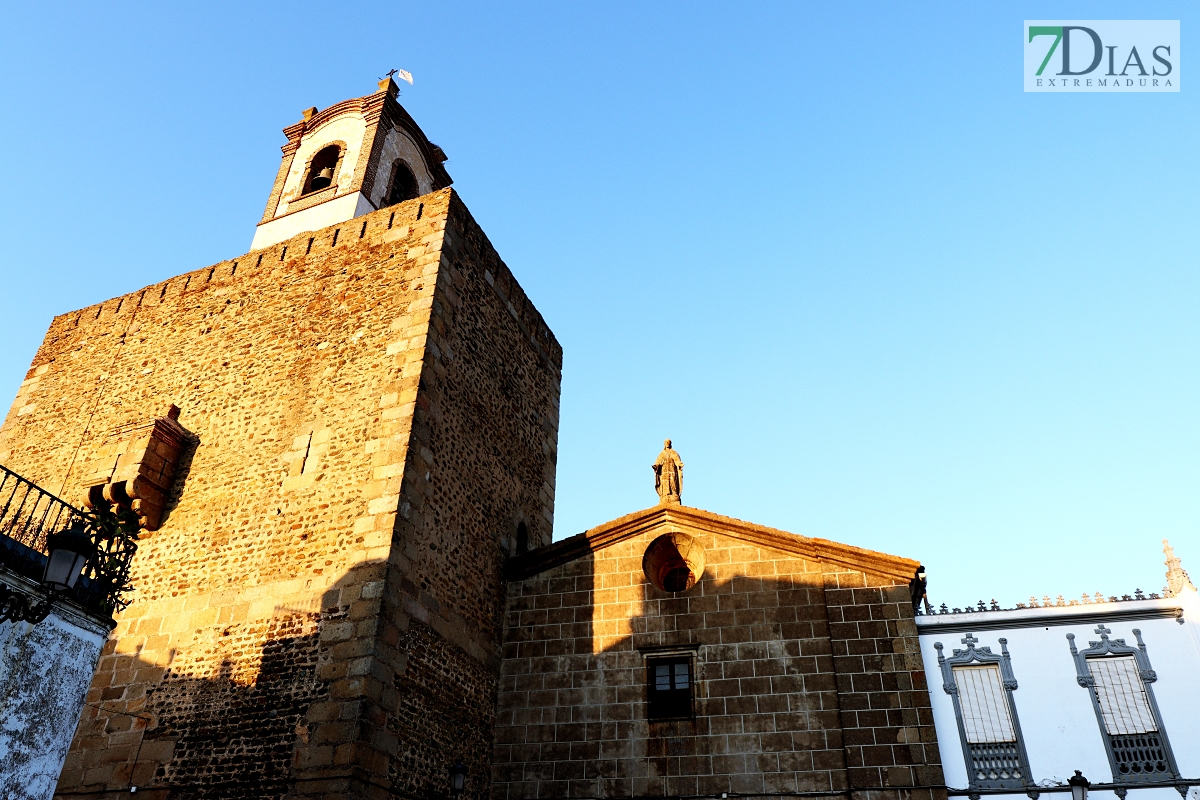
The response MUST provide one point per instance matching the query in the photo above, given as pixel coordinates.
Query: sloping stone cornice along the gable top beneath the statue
(689, 520)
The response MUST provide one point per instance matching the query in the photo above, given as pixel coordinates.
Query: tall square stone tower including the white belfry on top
(357, 426)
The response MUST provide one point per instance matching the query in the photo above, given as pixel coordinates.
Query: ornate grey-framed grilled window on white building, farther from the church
(1119, 678)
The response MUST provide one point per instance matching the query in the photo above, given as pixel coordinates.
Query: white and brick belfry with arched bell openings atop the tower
(352, 159)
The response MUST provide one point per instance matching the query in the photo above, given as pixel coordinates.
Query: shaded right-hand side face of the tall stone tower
(483, 460)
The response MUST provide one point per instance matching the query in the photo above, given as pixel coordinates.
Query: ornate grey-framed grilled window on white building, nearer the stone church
(982, 684)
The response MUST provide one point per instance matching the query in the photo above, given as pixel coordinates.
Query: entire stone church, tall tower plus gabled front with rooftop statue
(346, 585)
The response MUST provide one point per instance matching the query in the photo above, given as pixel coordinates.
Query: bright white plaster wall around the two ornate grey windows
(1055, 713)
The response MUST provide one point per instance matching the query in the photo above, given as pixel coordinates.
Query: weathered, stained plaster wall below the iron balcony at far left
(45, 675)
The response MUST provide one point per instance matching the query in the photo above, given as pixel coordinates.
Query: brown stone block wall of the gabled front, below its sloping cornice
(769, 714)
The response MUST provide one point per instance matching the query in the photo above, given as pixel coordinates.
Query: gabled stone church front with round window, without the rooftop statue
(776, 666)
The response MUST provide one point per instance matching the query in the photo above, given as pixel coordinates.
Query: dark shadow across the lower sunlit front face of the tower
(157, 721)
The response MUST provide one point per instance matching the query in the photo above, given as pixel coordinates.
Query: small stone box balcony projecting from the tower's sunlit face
(137, 467)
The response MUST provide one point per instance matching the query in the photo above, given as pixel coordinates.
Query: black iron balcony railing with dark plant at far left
(29, 515)
